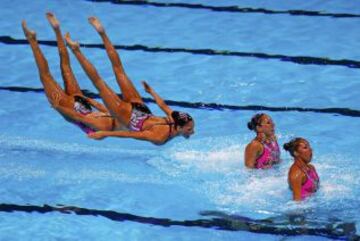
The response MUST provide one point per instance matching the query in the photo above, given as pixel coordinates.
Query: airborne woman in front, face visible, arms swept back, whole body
(130, 109)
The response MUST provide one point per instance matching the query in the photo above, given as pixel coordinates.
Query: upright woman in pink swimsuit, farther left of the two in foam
(263, 151)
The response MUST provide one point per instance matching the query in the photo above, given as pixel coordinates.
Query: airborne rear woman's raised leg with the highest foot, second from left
(71, 85)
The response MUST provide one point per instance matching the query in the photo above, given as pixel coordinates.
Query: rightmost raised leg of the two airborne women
(129, 92)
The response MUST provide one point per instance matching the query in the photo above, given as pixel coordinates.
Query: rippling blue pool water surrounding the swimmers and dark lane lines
(47, 161)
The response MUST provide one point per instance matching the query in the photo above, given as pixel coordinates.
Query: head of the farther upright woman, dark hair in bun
(262, 123)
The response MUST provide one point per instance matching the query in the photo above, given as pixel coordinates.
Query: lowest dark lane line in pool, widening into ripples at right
(288, 225)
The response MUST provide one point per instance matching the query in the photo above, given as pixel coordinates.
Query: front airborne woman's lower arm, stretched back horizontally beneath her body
(139, 135)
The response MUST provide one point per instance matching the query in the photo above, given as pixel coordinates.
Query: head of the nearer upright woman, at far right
(299, 148)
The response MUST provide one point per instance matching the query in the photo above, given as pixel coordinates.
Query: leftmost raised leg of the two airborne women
(53, 91)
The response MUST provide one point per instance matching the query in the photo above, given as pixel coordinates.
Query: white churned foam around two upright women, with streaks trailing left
(214, 163)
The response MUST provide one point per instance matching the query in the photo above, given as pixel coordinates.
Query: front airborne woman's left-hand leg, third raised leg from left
(118, 108)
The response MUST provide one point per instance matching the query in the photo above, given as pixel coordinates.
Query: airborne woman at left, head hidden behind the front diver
(70, 101)
